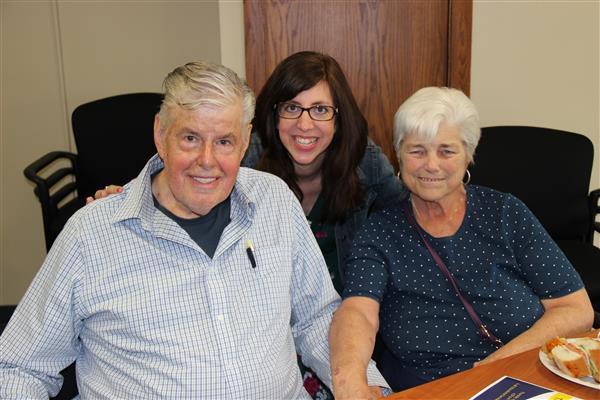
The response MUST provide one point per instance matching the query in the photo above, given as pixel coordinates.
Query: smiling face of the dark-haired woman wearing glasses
(304, 139)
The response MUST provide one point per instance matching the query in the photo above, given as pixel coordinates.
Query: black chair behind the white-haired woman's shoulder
(549, 170)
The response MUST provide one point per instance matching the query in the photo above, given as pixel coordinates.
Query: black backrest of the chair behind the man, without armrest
(114, 139)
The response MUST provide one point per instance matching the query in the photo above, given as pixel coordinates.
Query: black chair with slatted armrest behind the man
(114, 139)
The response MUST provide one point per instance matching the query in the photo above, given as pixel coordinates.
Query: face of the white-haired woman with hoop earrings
(433, 171)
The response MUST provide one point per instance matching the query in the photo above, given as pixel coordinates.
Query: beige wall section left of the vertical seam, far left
(33, 121)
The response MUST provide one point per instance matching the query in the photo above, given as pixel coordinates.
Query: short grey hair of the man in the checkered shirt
(205, 84)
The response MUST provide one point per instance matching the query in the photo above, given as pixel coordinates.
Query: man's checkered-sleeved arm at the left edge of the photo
(40, 338)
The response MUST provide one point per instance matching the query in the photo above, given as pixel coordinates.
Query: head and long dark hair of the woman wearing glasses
(336, 161)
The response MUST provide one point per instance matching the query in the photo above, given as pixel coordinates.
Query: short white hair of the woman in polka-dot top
(423, 113)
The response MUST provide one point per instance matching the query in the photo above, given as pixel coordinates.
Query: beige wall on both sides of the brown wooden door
(534, 63)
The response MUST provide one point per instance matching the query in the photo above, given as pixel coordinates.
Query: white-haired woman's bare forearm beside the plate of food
(564, 316)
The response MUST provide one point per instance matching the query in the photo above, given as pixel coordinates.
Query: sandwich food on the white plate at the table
(575, 357)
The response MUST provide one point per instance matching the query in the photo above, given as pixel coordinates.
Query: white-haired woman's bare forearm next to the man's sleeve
(351, 343)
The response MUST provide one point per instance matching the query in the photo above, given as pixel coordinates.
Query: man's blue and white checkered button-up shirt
(146, 314)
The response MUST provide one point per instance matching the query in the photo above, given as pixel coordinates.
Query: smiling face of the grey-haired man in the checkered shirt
(202, 150)
